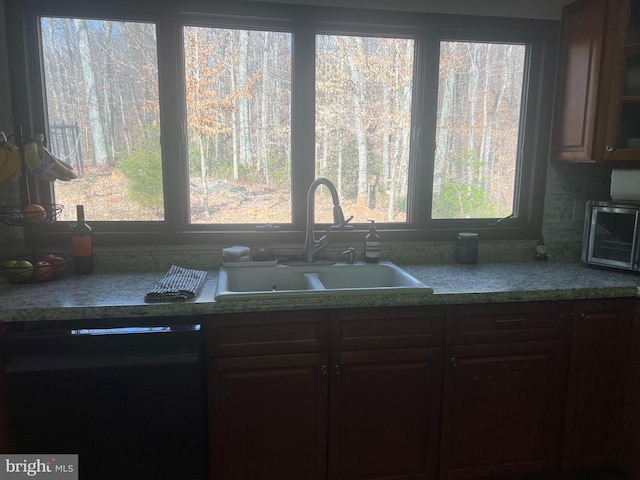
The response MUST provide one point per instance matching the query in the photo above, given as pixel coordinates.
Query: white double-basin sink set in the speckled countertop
(287, 280)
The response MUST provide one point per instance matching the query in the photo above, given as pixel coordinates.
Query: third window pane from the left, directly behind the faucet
(364, 87)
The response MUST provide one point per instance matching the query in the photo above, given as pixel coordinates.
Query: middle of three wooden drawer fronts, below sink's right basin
(392, 327)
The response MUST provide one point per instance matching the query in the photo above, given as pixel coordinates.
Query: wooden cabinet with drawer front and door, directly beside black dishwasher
(267, 395)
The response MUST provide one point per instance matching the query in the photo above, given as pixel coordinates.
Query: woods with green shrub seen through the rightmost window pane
(480, 90)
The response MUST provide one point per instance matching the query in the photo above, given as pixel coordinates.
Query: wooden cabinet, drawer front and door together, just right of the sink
(502, 400)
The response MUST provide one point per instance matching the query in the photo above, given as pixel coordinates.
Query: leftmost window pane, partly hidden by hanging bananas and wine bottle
(101, 90)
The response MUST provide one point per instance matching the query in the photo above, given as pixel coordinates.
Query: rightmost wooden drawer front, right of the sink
(507, 322)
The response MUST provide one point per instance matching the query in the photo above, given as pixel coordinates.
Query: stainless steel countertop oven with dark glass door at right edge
(612, 234)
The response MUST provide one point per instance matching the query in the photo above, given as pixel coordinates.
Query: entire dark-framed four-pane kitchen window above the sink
(210, 127)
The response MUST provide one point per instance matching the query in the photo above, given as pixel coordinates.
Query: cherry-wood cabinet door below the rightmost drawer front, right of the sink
(501, 409)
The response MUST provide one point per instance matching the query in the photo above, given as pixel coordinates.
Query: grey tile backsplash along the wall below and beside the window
(568, 188)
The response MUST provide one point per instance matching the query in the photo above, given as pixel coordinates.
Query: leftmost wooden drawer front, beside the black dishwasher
(267, 333)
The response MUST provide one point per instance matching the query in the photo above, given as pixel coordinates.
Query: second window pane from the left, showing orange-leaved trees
(238, 102)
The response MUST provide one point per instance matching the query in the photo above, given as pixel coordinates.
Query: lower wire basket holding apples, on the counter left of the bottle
(35, 269)
